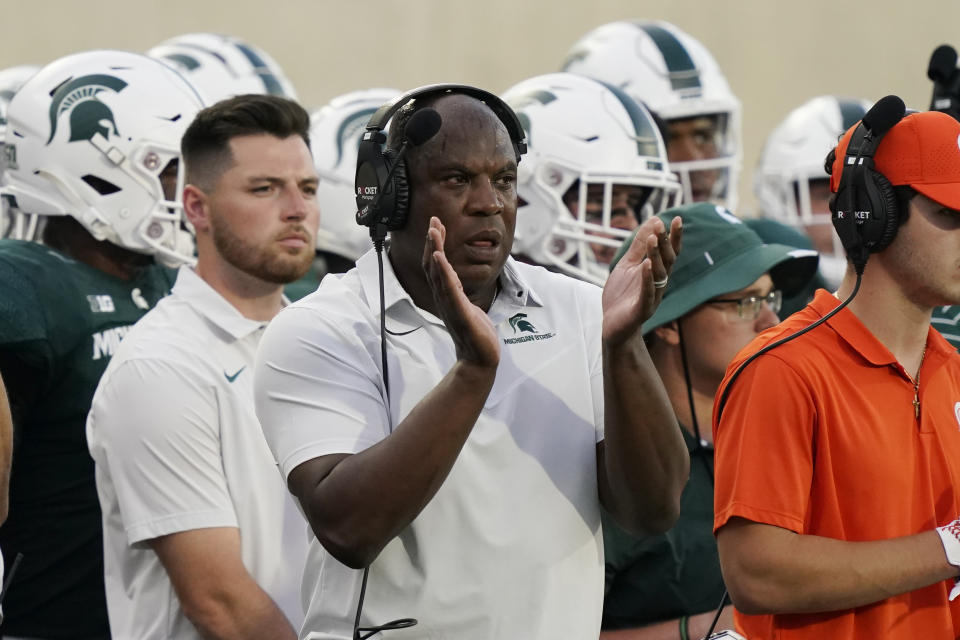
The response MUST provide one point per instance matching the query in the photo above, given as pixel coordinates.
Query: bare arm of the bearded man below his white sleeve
(217, 594)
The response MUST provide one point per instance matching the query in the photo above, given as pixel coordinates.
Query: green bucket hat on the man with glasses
(721, 254)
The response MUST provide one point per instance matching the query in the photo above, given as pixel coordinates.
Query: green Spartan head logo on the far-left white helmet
(88, 116)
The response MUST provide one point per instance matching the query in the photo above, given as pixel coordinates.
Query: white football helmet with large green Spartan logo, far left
(90, 135)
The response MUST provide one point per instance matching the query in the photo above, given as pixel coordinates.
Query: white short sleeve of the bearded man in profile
(156, 425)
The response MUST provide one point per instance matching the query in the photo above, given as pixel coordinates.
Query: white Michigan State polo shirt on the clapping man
(510, 546)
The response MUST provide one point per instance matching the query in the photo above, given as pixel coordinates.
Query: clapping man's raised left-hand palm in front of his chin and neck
(474, 336)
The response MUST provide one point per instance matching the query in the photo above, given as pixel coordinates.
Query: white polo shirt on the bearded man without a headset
(177, 447)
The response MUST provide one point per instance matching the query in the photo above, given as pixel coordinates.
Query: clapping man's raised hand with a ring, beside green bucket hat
(631, 294)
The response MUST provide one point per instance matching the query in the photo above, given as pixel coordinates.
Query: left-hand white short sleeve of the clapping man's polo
(317, 388)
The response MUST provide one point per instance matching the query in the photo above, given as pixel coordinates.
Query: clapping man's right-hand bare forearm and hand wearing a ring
(642, 463)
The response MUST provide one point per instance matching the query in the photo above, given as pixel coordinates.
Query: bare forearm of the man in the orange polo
(773, 570)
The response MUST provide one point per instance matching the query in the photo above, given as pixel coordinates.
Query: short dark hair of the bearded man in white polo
(205, 146)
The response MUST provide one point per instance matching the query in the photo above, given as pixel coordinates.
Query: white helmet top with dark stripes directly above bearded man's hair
(223, 66)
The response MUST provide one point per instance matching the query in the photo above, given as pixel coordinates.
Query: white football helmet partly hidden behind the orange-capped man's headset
(792, 158)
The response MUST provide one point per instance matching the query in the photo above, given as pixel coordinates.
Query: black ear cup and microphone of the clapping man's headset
(371, 189)
